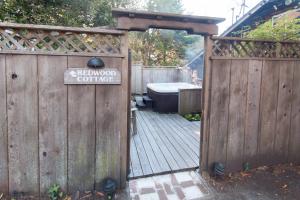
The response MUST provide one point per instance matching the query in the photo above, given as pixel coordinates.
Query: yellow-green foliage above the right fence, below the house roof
(283, 29)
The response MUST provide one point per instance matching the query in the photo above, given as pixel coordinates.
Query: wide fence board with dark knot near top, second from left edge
(22, 98)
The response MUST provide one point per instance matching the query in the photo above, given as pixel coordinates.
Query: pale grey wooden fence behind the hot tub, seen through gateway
(141, 76)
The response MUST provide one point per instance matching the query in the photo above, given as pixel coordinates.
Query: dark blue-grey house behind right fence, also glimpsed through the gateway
(261, 13)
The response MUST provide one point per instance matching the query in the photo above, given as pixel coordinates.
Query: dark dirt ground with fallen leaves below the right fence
(263, 183)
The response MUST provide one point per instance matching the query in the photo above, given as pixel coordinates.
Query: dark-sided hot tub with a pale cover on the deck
(165, 95)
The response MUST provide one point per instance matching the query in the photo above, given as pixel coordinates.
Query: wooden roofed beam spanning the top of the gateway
(141, 21)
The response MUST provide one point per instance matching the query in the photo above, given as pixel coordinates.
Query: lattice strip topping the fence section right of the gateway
(239, 48)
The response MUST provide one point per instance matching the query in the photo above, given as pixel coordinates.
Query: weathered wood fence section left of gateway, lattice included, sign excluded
(51, 133)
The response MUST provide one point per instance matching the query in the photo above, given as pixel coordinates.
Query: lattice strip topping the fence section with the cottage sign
(58, 41)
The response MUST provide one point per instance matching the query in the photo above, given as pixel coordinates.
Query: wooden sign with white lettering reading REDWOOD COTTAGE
(108, 76)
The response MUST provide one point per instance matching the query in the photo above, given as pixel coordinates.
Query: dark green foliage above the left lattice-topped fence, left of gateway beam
(61, 12)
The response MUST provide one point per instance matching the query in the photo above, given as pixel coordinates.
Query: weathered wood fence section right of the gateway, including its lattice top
(252, 103)
